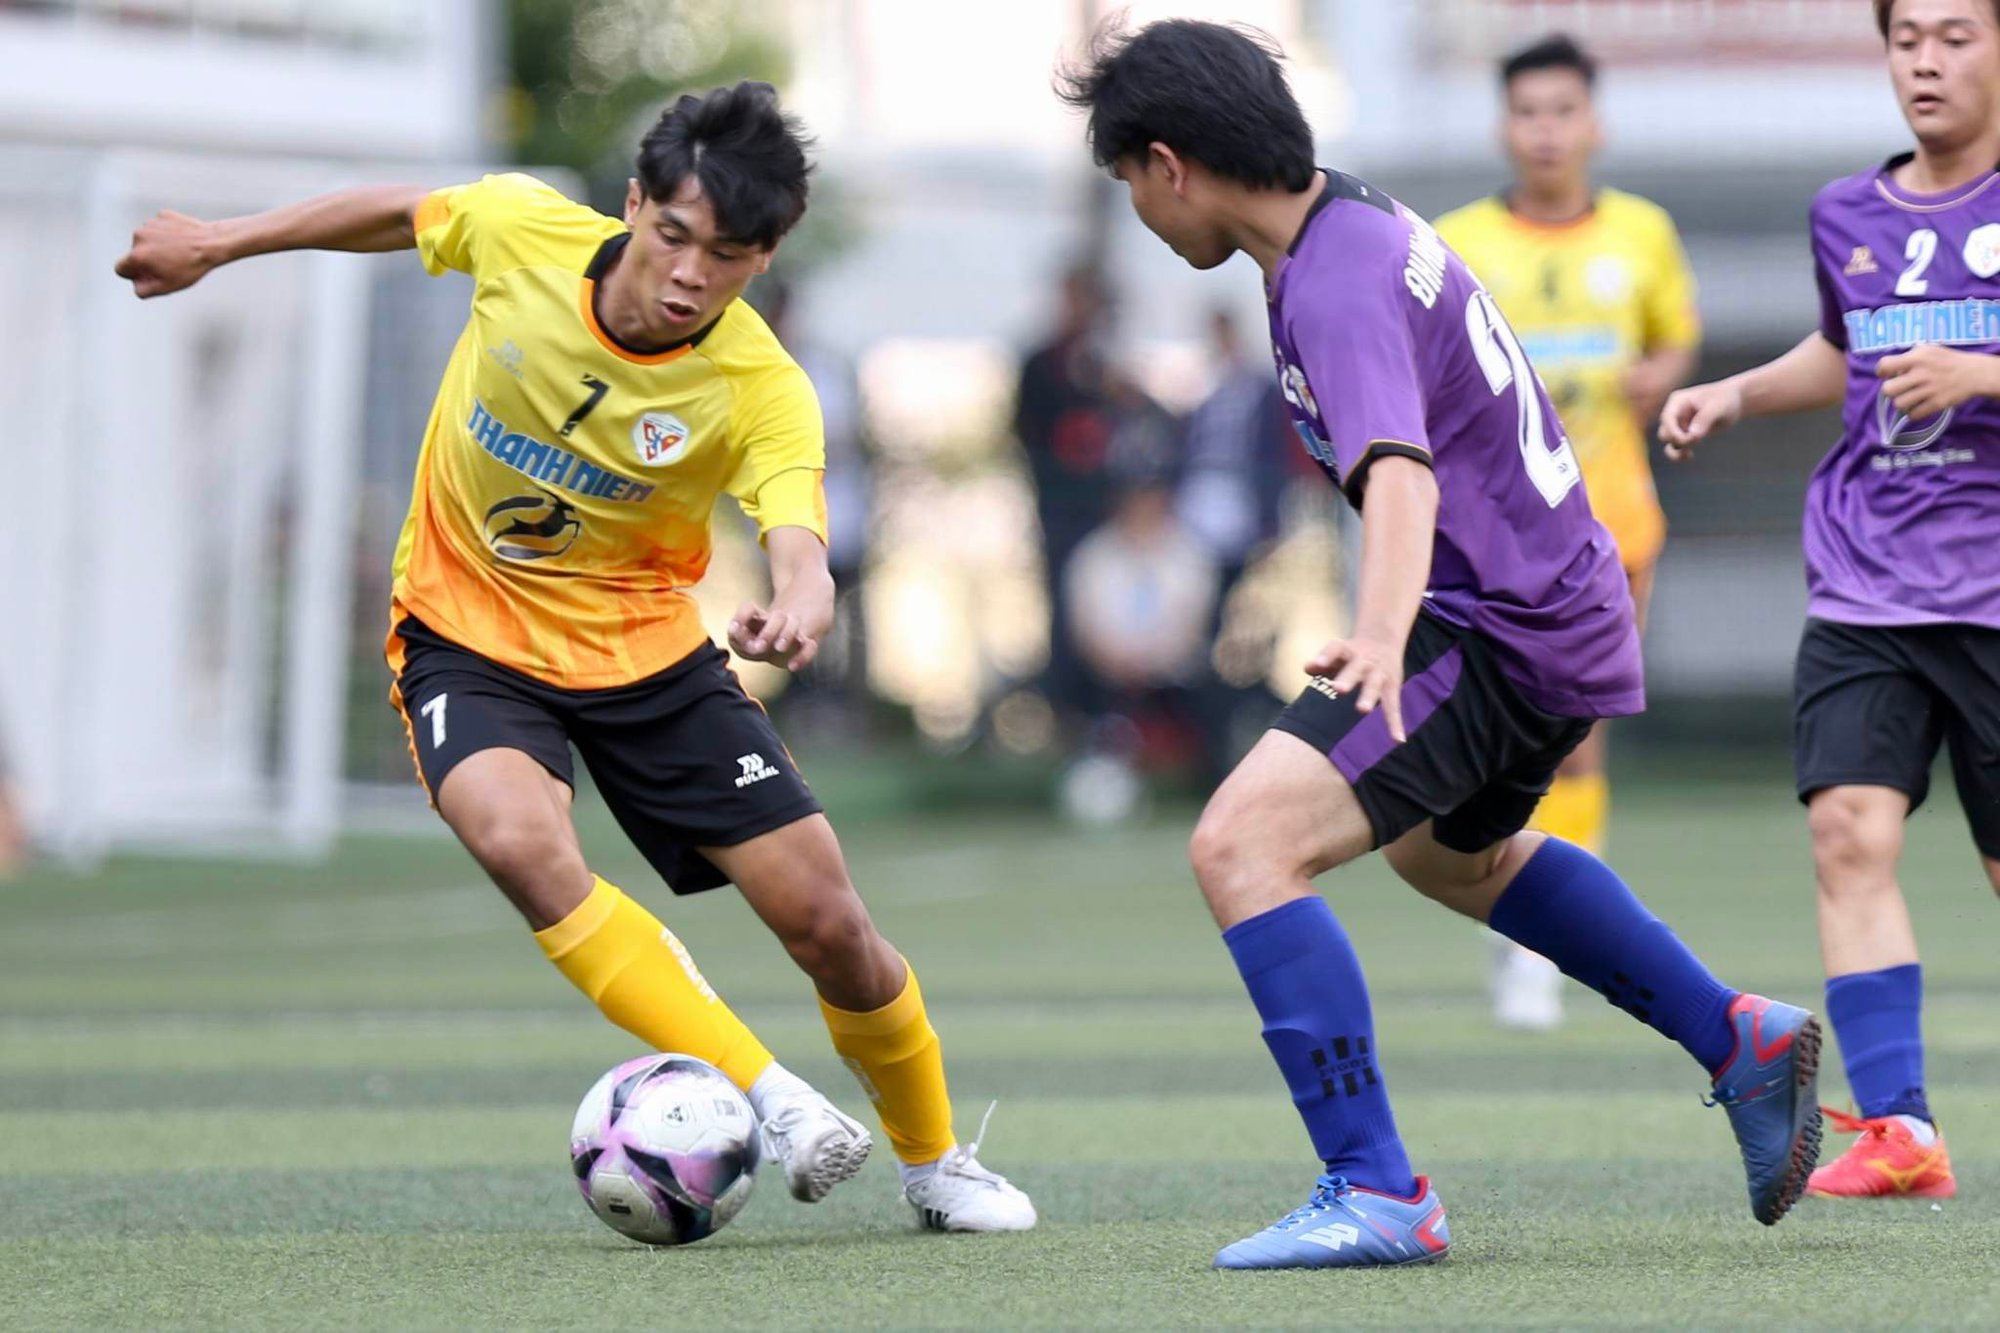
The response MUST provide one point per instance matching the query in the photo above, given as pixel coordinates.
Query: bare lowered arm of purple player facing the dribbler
(1399, 529)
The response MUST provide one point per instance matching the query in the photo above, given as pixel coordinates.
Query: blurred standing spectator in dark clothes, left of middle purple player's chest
(1065, 419)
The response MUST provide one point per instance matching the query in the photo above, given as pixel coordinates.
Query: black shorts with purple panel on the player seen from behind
(1479, 758)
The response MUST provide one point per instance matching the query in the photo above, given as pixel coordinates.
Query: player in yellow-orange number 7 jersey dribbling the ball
(607, 389)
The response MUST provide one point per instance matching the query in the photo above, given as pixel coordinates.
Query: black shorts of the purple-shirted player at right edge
(1877, 702)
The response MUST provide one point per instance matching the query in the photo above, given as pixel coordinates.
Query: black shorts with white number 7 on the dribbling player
(685, 758)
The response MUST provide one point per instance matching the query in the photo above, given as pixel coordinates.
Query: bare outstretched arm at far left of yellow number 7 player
(173, 251)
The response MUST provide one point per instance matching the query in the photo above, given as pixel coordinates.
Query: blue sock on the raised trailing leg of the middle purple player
(1575, 912)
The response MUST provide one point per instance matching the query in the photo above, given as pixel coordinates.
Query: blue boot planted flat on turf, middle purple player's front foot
(1347, 1228)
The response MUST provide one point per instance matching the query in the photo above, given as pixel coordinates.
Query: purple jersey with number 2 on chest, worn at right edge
(1903, 517)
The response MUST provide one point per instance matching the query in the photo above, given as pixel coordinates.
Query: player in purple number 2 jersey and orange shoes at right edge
(1903, 553)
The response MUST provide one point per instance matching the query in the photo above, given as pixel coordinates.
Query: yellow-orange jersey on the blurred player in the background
(1589, 299)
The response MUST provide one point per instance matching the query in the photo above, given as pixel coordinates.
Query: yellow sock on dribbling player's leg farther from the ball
(901, 1066)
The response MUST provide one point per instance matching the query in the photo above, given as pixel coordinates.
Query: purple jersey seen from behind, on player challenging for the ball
(1387, 345)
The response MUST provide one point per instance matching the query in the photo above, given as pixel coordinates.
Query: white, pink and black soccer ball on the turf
(665, 1150)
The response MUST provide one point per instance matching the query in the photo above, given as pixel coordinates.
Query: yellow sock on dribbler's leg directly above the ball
(643, 980)
